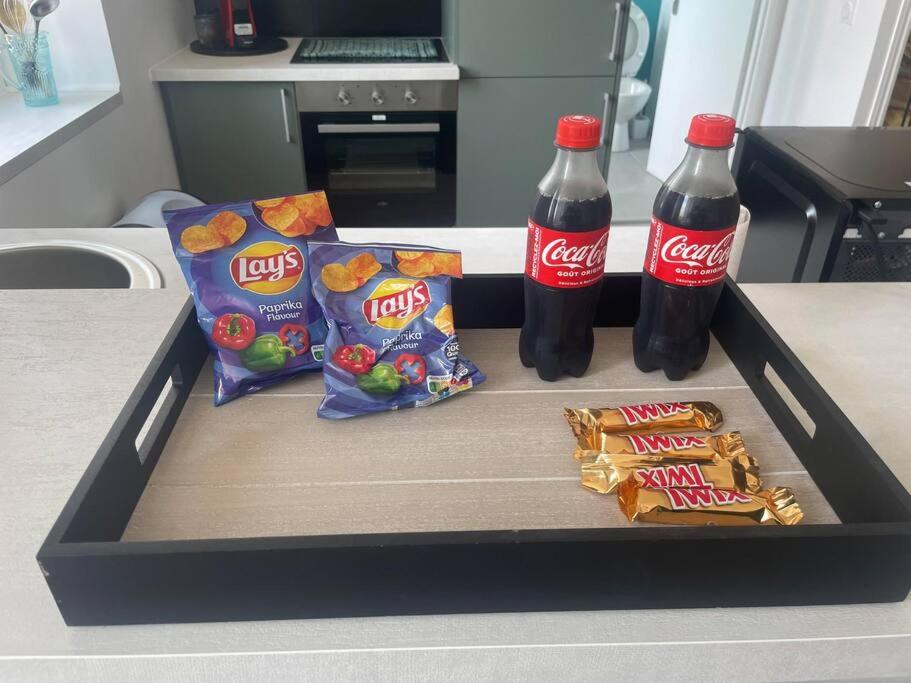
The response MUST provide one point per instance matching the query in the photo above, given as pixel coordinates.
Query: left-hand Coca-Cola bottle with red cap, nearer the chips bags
(564, 258)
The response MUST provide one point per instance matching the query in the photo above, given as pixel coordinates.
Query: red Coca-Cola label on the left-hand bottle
(565, 259)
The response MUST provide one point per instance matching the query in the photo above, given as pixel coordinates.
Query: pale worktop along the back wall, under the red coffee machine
(185, 65)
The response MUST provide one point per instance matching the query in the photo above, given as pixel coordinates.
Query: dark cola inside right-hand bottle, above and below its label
(672, 333)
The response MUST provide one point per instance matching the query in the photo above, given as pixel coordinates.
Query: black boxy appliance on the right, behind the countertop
(827, 204)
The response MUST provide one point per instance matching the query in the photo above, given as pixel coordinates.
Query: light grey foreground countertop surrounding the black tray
(854, 348)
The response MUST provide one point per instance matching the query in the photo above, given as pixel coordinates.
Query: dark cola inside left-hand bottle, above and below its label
(557, 335)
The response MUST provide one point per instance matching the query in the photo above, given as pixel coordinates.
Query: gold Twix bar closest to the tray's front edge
(722, 507)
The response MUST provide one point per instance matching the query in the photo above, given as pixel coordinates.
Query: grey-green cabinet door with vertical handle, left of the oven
(235, 141)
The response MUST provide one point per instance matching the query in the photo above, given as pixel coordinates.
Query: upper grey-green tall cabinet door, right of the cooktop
(533, 38)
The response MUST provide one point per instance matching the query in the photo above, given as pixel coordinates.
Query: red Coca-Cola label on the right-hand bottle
(693, 258)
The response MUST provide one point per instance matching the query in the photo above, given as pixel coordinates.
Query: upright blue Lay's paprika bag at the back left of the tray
(246, 264)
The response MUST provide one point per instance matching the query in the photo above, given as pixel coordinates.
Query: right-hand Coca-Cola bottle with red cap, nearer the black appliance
(693, 223)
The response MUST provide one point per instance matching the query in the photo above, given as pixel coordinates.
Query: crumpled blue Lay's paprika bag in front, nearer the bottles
(392, 342)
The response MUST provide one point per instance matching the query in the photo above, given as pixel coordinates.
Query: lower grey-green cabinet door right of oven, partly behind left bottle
(505, 141)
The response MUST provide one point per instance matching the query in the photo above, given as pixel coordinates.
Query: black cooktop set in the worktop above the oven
(368, 50)
